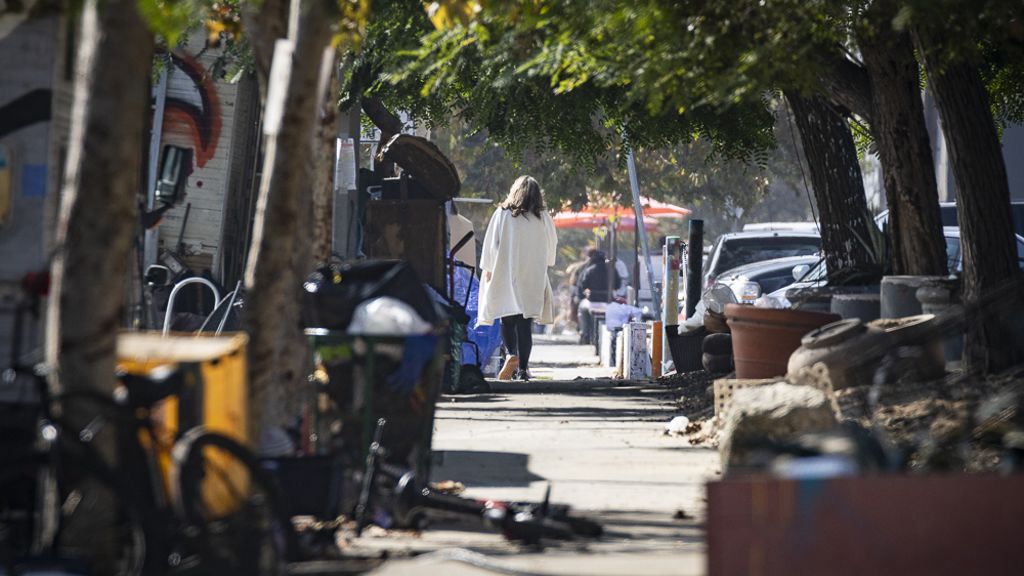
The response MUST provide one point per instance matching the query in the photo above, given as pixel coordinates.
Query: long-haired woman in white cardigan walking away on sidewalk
(519, 249)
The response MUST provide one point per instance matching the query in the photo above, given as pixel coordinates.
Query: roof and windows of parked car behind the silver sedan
(737, 250)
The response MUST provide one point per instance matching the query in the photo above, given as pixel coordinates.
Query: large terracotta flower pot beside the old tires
(764, 339)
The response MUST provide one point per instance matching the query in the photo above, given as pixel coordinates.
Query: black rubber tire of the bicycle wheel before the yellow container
(187, 478)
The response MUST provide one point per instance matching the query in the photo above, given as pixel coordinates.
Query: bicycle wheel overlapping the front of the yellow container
(219, 488)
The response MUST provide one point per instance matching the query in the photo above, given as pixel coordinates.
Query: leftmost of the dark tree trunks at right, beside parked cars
(839, 188)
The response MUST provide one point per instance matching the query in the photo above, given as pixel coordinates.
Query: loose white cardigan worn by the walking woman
(518, 252)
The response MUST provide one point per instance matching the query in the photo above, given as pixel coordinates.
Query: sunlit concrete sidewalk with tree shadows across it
(600, 445)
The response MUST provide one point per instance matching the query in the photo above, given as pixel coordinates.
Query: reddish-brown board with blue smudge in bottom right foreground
(930, 525)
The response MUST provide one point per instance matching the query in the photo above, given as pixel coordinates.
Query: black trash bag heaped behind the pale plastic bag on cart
(333, 293)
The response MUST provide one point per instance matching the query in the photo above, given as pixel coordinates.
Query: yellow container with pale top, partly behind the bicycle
(216, 396)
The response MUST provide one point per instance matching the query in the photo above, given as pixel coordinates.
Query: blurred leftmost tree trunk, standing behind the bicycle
(99, 213)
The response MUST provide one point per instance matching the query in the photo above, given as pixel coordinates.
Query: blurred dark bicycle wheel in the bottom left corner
(96, 525)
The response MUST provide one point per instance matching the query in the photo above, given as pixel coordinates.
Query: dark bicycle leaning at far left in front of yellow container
(216, 511)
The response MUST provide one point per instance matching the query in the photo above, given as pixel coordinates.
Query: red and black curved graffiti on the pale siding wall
(194, 112)
